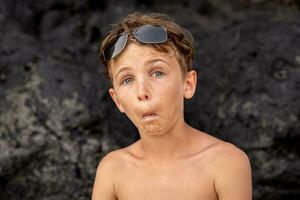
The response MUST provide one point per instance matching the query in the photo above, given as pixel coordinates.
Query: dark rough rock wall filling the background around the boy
(57, 120)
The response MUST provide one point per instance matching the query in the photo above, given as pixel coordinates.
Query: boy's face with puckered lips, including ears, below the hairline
(149, 87)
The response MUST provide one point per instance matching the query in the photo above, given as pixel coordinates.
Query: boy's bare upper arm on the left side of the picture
(104, 188)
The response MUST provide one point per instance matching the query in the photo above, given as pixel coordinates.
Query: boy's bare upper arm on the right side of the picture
(233, 177)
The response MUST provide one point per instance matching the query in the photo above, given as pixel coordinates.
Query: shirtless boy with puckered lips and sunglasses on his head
(148, 60)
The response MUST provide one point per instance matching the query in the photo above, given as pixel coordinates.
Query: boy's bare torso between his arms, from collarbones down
(189, 178)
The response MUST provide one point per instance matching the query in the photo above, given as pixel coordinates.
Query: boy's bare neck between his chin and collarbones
(169, 145)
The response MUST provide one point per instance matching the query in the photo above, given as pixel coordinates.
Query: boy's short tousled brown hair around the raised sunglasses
(180, 39)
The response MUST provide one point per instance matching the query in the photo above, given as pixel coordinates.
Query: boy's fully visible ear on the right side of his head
(190, 84)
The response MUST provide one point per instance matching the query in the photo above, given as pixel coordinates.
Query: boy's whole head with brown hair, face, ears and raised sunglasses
(148, 59)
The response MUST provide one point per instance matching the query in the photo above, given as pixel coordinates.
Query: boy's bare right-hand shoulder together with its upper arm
(229, 166)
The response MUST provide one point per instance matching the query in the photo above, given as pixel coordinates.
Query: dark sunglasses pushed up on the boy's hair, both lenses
(149, 34)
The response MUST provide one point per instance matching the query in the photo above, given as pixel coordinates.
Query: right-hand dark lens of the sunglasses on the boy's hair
(151, 34)
